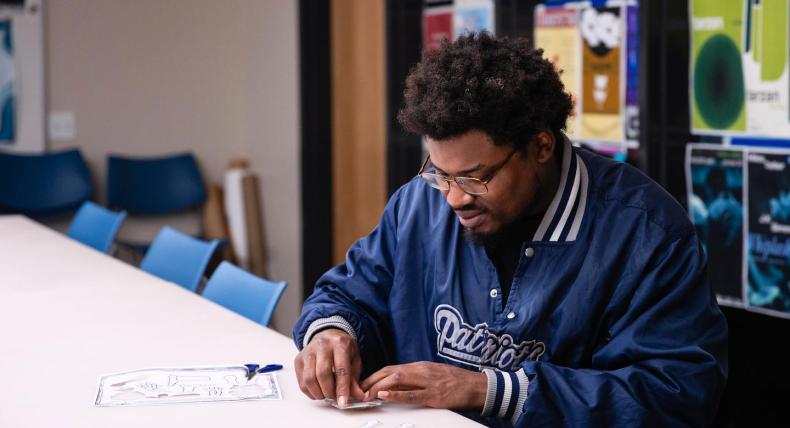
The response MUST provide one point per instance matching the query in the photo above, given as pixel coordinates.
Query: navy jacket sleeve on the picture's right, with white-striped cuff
(662, 361)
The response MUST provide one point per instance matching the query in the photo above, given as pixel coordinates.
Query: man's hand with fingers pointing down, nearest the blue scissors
(329, 367)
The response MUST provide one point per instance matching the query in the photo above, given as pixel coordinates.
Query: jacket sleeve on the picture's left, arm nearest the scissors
(353, 296)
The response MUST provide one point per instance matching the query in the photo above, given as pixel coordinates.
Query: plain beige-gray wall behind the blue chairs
(219, 78)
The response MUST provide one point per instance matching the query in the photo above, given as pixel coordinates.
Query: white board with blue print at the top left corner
(22, 76)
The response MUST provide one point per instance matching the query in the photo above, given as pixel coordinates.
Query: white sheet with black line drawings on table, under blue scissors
(185, 385)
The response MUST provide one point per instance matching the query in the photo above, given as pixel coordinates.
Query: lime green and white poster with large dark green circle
(738, 73)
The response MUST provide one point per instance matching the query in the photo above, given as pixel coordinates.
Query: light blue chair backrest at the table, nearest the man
(244, 293)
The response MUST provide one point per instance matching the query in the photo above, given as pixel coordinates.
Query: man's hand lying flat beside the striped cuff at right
(429, 384)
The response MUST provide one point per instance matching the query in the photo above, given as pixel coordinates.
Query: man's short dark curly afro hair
(497, 85)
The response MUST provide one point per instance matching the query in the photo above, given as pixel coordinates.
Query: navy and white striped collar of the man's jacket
(566, 211)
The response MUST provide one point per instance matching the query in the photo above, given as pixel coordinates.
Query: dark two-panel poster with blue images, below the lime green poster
(739, 202)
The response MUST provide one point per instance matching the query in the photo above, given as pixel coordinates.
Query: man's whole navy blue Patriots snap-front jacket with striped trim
(610, 321)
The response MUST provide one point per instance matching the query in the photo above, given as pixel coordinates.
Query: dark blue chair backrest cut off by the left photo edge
(43, 184)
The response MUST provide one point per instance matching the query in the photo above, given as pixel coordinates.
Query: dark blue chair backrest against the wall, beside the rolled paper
(154, 185)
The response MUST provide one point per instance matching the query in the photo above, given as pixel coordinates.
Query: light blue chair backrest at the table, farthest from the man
(95, 226)
